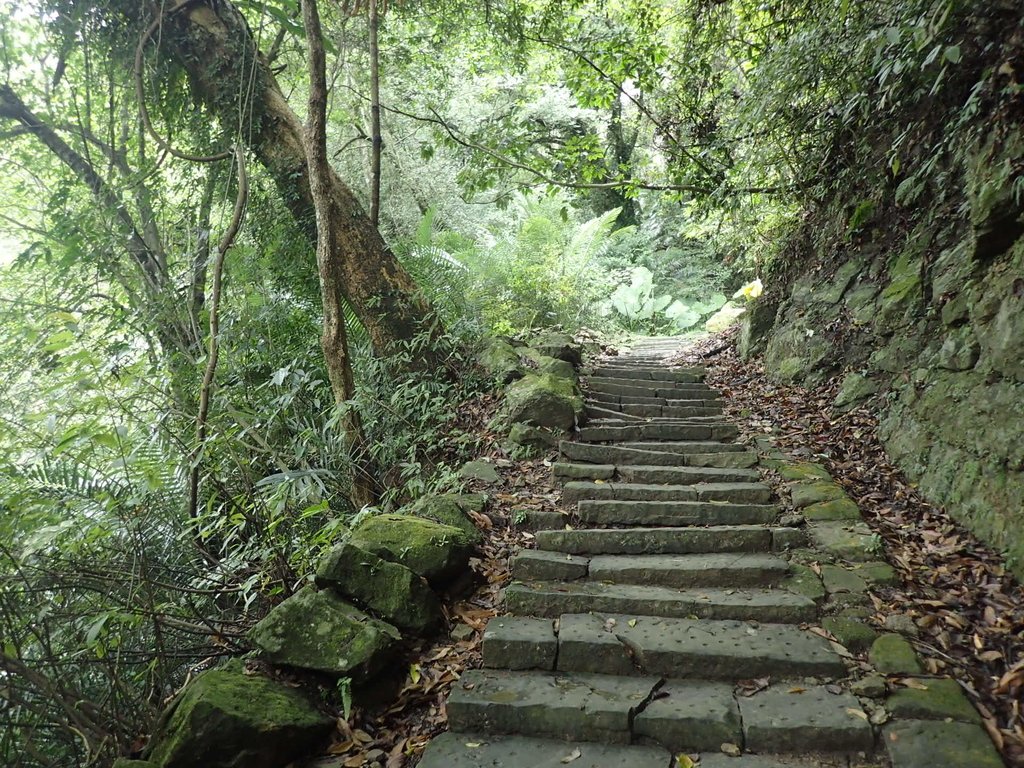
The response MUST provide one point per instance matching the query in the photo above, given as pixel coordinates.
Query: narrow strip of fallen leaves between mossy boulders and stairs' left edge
(395, 735)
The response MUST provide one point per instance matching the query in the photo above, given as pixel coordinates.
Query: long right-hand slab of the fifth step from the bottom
(717, 570)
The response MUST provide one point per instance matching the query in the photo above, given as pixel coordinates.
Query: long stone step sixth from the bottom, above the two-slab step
(665, 541)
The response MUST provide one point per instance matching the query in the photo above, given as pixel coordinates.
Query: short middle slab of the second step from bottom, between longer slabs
(691, 715)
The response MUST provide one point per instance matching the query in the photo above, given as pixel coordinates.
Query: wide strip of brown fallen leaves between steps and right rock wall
(968, 609)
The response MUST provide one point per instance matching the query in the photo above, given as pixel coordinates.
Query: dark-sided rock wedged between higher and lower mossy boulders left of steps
(387, 589)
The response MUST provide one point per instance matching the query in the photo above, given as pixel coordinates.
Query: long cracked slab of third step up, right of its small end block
(693, 649)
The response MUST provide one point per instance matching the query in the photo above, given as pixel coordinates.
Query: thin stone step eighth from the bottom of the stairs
(738, 493)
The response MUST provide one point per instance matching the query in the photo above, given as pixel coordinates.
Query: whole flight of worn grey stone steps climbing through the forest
(658, 624)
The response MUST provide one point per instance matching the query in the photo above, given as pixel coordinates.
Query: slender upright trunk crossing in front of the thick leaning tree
(335, 338)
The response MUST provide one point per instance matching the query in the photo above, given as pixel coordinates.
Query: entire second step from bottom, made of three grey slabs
(678, 715)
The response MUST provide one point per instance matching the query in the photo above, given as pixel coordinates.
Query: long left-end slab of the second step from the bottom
(589, 708)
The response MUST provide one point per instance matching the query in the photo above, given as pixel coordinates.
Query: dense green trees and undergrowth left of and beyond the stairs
(177, 443)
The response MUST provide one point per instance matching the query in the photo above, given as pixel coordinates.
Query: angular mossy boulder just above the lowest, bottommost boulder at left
(317, 630)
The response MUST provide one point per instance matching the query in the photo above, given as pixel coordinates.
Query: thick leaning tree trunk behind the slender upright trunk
(211, 40)
